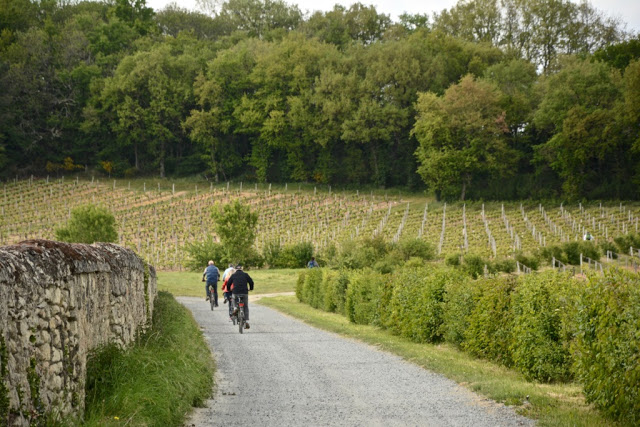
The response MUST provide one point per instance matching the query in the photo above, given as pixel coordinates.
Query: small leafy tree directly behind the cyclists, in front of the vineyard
(235, 224)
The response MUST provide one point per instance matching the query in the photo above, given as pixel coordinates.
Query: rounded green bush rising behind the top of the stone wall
(89, 224)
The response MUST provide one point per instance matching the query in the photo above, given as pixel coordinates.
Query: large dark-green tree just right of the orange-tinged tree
(585, 144)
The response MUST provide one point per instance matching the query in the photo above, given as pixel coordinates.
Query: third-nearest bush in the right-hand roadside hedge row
(489, 332)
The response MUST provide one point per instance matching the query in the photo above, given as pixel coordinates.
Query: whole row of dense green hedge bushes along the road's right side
(549, 326)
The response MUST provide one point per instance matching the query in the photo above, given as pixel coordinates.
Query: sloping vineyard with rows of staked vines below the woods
(157, 220)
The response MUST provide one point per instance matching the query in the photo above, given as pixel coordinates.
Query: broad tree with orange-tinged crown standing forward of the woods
(461, 136)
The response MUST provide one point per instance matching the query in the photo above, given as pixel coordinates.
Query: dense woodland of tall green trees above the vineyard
(489, 99)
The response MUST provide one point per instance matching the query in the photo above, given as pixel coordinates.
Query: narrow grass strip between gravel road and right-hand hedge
(550, 404)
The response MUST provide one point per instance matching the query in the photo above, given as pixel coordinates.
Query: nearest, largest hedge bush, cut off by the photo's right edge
(606, 351)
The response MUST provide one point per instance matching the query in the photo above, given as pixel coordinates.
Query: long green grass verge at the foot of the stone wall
(157, 380)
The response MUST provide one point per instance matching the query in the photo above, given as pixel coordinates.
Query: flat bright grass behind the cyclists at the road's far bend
(190, 284)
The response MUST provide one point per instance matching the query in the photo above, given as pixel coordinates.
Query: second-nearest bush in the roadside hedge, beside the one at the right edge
(538, 347)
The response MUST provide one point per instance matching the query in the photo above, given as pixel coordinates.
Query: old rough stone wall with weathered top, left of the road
(57, 302)
